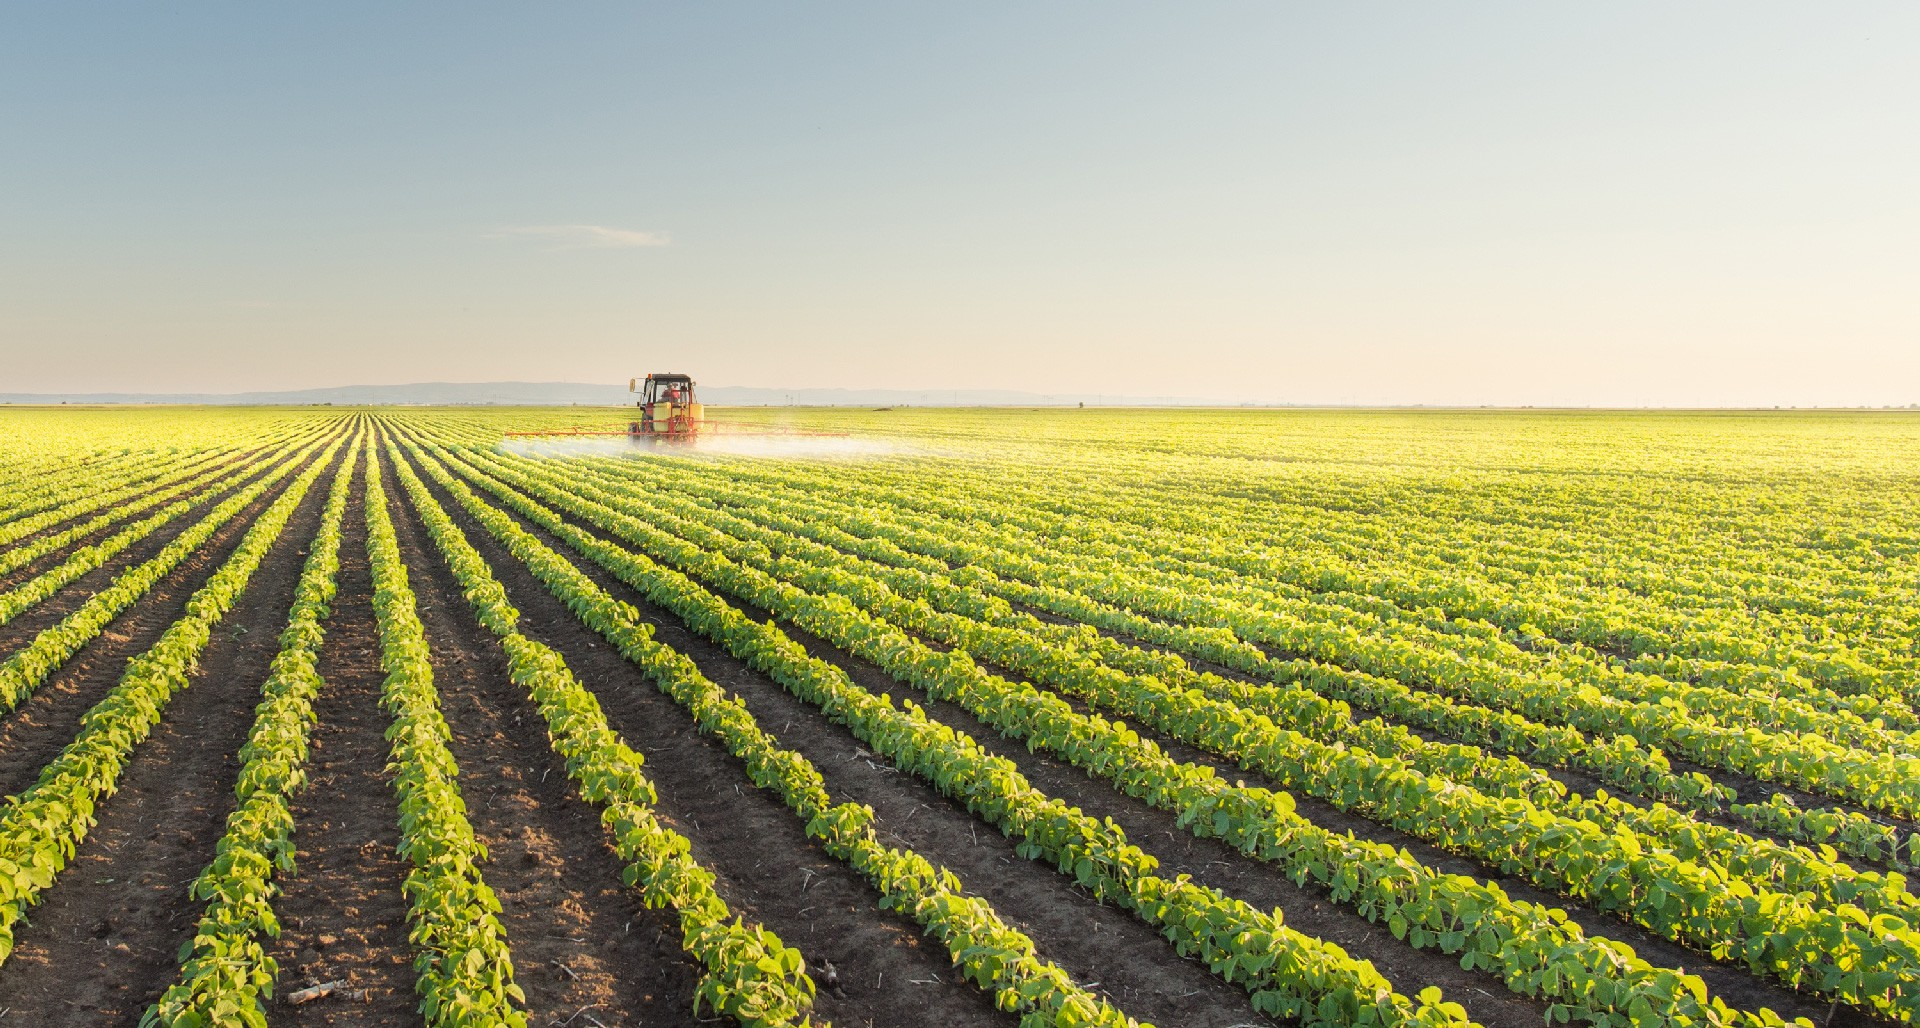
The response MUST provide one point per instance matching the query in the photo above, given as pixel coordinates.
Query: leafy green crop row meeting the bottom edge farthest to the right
(1535, 950)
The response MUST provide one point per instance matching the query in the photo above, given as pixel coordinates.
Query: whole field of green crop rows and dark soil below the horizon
(959, 718)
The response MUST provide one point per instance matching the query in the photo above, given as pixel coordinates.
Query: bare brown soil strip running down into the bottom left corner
(105, 942)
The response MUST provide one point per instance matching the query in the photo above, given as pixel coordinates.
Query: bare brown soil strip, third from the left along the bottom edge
(579, 935)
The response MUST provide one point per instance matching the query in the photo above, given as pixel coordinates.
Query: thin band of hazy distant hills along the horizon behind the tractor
(612, 395)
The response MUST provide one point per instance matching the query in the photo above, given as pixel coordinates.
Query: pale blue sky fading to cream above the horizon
(1612, 205)
